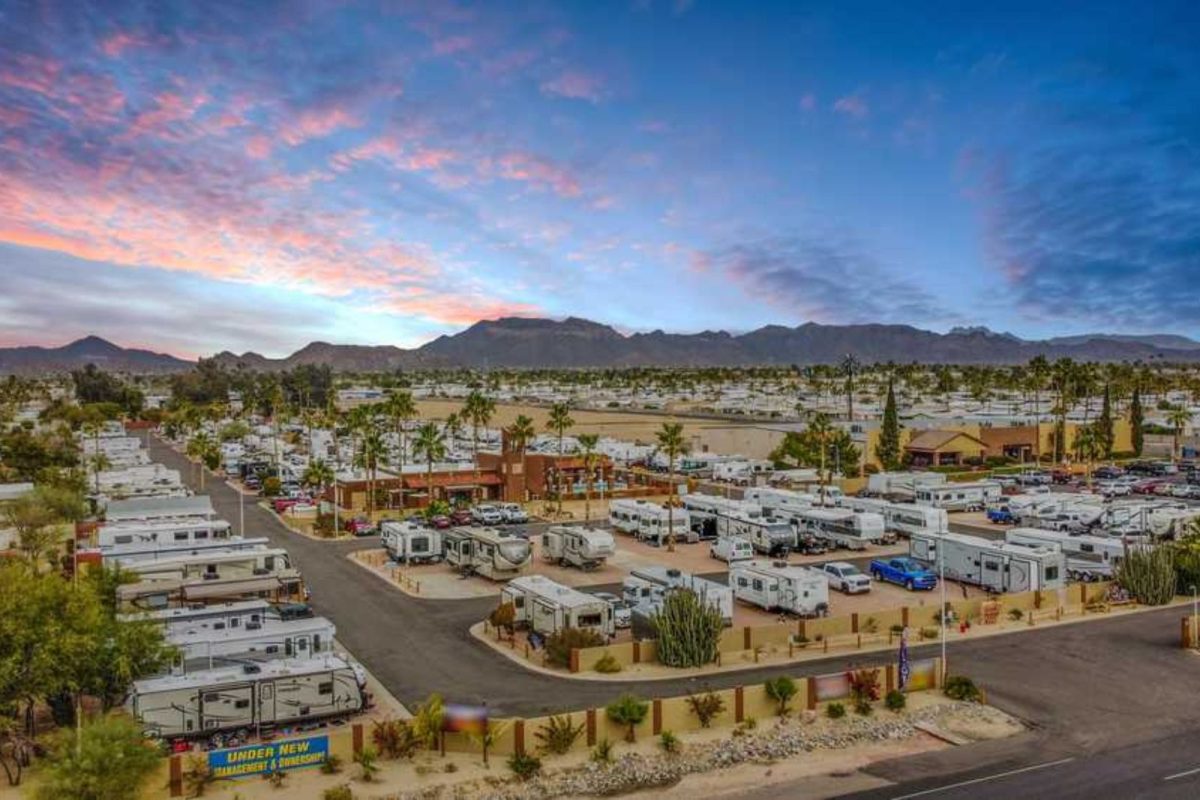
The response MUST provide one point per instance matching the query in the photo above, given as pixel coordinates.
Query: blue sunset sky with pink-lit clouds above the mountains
(201, 177)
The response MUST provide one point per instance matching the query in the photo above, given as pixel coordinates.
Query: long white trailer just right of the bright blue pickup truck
(997, 567)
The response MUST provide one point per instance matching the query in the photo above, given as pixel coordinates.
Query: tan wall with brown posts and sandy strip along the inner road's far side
(808, 640)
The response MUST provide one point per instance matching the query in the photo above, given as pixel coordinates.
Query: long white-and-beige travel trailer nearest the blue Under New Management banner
(286, 693)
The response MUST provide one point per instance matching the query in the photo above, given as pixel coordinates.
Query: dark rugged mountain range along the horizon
(574, 342)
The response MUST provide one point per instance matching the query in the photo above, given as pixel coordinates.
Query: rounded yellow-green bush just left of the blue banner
(111, 761)
